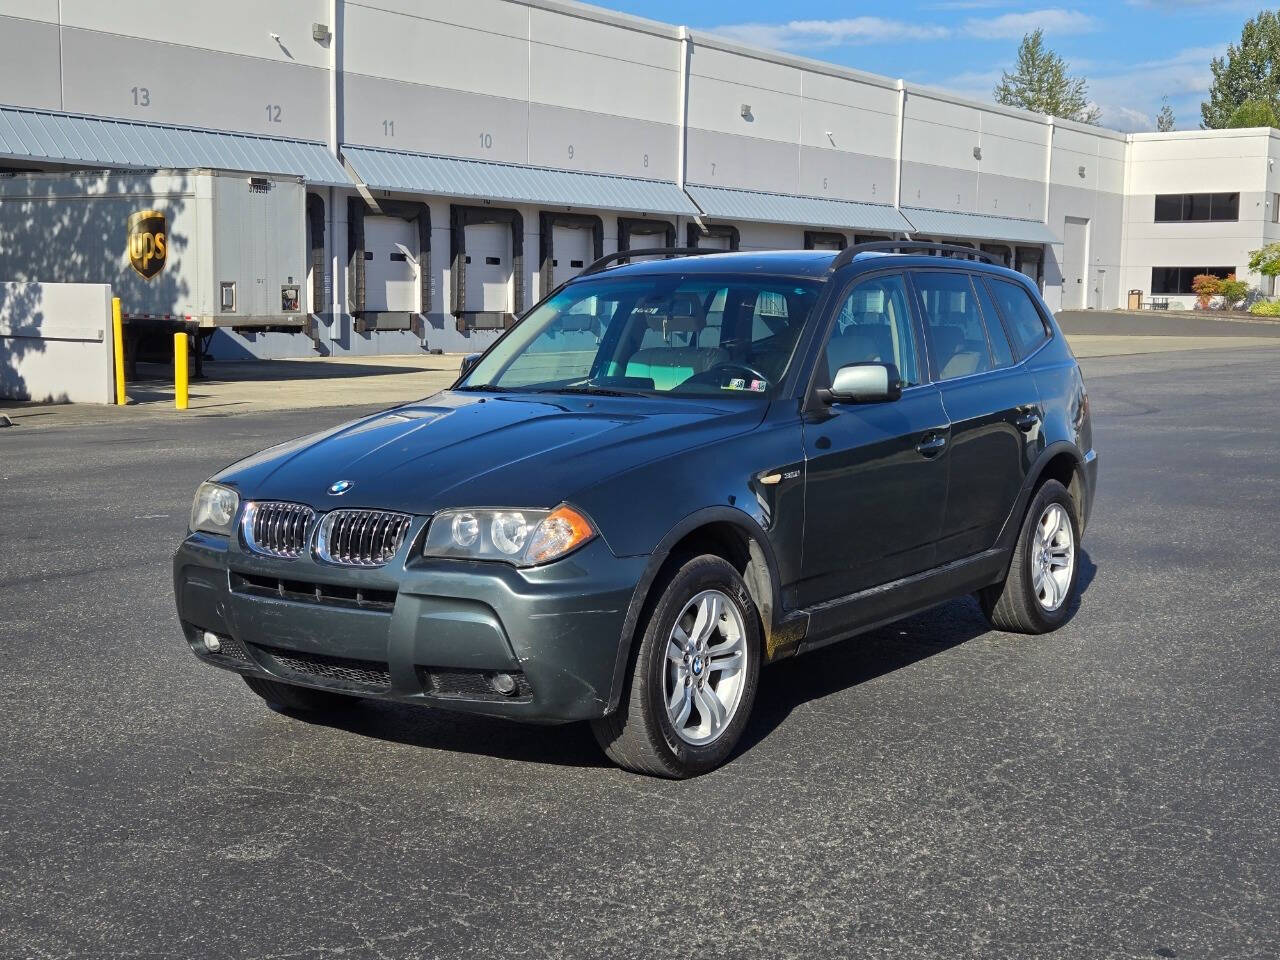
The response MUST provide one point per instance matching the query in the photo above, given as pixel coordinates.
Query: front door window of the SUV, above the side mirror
(875, 327)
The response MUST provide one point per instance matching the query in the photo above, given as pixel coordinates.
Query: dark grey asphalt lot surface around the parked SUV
(931, 790)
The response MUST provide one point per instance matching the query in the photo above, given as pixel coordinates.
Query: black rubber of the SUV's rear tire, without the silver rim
(1013, 605)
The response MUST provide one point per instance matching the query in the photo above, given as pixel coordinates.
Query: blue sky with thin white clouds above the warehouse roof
(1132, 53)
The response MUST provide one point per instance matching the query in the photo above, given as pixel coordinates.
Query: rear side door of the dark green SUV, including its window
(991, 403)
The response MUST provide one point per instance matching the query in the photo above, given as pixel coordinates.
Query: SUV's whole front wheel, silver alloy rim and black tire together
(694, 678)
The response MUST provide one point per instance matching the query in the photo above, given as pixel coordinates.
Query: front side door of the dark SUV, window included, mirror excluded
(877, 473)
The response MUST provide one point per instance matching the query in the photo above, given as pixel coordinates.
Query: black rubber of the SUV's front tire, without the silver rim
(639, 735)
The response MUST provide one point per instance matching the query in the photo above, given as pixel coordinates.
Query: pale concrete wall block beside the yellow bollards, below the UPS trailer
(56, 342)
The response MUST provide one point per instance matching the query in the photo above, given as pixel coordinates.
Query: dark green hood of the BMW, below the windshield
(467, 450)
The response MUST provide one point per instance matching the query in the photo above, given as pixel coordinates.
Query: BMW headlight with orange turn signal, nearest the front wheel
(520, 537)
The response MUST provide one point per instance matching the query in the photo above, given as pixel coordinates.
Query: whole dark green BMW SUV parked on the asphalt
(668, 476)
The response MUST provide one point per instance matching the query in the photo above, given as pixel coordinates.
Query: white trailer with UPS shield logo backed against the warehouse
(194, 250)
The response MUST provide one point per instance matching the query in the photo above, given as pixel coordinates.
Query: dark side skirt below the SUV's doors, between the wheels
(857, 614)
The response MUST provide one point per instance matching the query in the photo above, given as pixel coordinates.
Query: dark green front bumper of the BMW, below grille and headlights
(424, 632)
